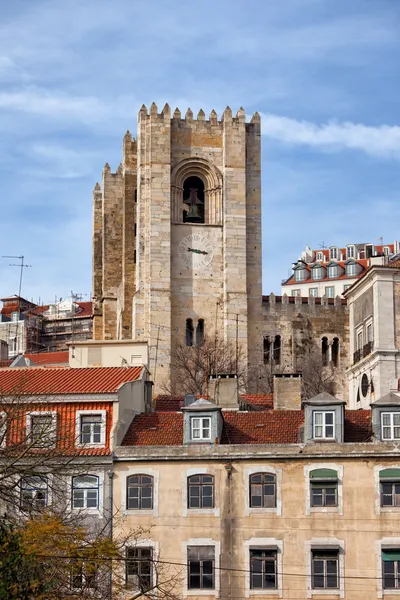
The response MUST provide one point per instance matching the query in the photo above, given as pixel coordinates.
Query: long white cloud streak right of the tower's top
(383, 140)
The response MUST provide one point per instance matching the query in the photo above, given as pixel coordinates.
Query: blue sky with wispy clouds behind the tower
(323, 74)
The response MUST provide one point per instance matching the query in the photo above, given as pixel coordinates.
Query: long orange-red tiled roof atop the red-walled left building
(32, 381)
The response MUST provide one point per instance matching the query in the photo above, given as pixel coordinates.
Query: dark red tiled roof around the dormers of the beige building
(261, 427)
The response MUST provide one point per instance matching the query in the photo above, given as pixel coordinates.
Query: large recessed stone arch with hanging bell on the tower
(196, 173)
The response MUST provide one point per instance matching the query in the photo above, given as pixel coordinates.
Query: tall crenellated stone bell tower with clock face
(177, 235)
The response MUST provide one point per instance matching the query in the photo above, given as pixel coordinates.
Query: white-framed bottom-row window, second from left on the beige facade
(202, 557)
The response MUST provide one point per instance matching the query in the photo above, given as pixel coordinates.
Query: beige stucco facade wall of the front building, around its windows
(358, 529)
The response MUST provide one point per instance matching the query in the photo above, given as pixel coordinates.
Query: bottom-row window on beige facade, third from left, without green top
(263, 566)
